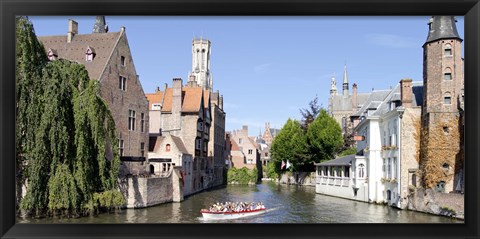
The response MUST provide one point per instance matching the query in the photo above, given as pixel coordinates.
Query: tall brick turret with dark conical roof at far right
(443, 81)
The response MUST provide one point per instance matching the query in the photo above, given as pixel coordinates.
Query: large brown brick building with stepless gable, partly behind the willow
(108, 59)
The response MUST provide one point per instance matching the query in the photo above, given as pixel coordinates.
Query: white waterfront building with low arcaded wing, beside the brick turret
(387, 155)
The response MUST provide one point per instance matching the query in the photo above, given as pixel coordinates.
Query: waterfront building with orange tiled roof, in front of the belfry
(185, 115)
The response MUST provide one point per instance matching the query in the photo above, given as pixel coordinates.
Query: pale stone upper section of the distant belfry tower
(201, 49)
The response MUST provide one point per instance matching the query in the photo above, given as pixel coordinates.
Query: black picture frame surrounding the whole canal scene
(9, 8)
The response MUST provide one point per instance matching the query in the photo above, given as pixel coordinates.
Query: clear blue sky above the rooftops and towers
(267, 68)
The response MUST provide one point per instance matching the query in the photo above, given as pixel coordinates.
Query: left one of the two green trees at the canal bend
(289, 145)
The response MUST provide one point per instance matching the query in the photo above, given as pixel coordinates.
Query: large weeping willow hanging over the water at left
(72, 162)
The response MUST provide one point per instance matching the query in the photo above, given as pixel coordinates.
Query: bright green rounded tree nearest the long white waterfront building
(324, 138)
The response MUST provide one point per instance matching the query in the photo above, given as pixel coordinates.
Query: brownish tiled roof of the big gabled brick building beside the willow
(103, 43)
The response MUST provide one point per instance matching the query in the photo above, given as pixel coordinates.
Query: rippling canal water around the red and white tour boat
(285, 203)
